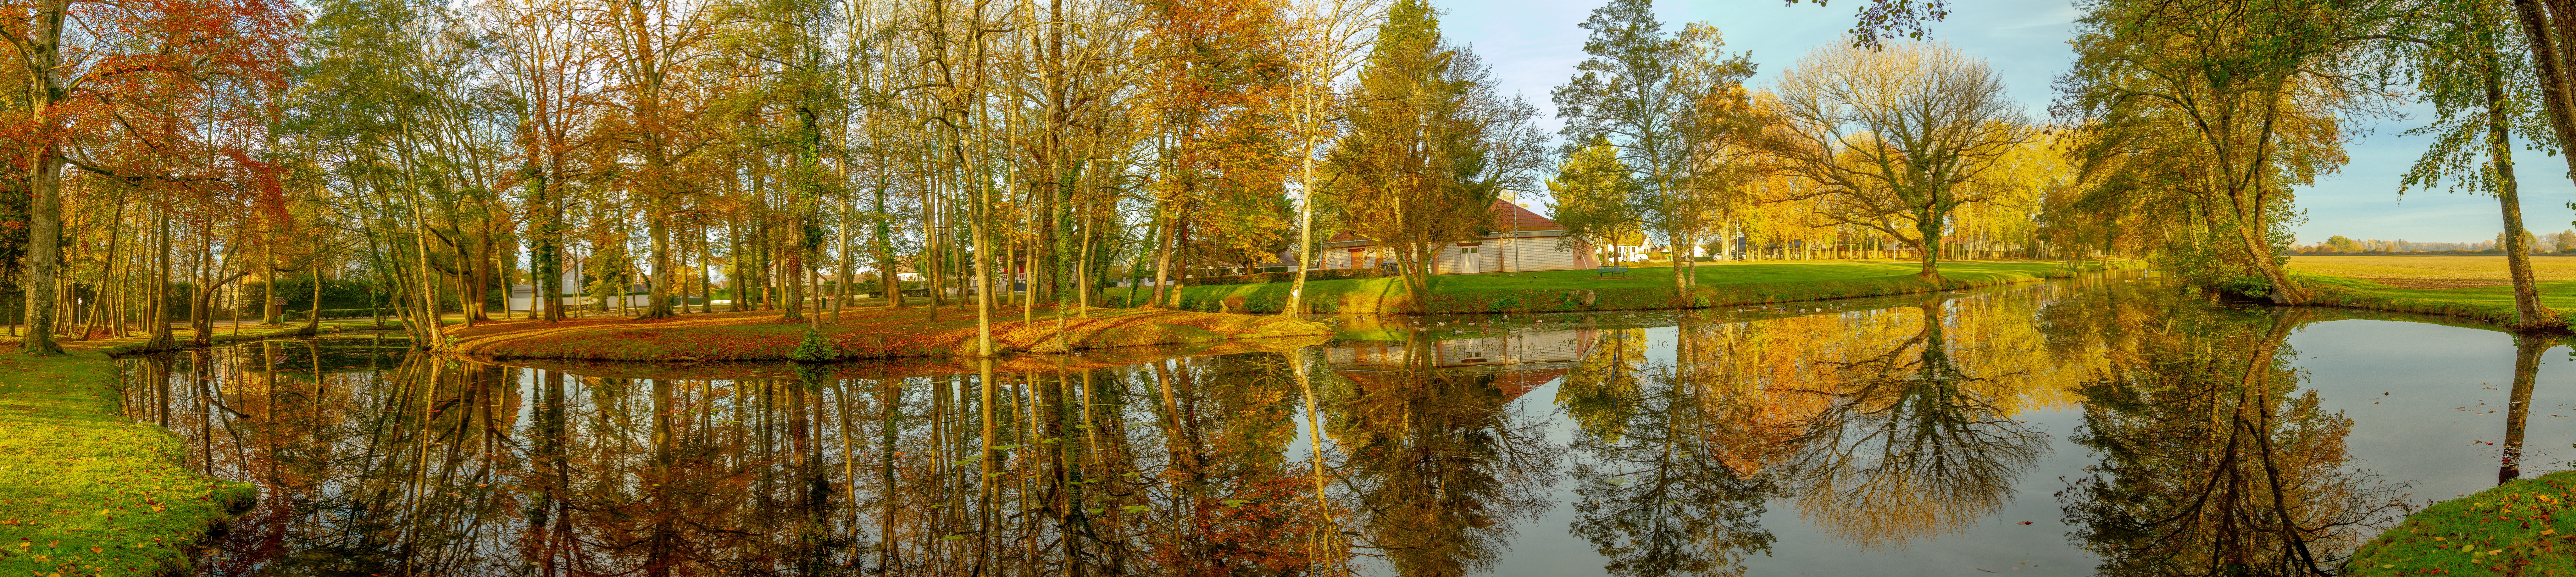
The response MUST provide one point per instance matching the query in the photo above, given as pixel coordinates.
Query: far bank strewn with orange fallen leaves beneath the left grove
(862, 334)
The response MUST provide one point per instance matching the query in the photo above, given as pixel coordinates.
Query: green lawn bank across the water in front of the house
(1725, 285)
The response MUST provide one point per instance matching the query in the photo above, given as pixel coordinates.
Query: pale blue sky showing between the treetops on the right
(1537, 45)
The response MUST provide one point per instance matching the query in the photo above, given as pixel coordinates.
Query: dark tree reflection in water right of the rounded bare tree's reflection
(2214, 462)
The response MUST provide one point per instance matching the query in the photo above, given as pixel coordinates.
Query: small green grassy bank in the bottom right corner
(2513, 529)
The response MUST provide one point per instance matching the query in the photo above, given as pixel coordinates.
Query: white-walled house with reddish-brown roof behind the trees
(1521, 241)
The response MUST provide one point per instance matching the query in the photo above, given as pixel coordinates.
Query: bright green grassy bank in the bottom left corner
(81, 488)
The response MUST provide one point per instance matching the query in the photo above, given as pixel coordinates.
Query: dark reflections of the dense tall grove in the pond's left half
(390, 462)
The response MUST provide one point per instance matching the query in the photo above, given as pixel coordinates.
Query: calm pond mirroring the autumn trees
(2090, 426)
